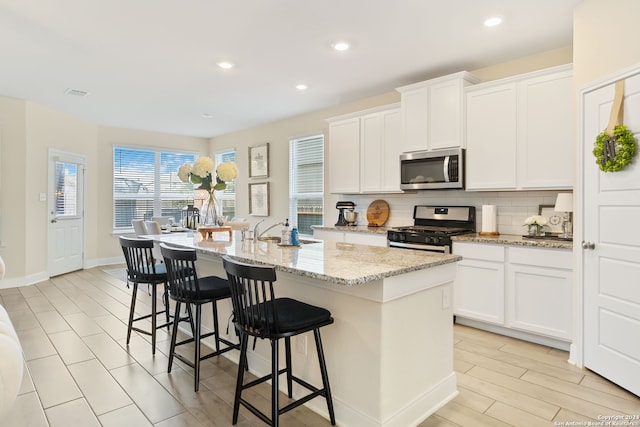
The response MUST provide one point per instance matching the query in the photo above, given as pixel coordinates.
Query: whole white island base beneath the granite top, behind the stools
(389, 362)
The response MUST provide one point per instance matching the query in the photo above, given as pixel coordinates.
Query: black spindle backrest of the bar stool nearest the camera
(252, 296)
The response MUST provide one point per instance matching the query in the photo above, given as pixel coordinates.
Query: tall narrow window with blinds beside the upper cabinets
(306, 182)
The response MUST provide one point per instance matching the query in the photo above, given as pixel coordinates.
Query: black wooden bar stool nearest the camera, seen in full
(258, 313)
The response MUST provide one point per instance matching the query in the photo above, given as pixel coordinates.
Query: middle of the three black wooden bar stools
(185, 287)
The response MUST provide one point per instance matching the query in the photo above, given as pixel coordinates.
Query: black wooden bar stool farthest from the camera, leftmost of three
(143, 268)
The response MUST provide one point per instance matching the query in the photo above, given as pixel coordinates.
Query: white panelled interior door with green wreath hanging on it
(611, 248)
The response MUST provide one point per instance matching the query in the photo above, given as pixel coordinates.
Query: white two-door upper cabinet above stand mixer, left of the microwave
(364, 152)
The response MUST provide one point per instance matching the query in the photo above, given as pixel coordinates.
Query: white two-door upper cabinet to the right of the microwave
(519, 132)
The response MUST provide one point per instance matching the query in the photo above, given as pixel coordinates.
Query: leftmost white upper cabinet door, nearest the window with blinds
(344, 156)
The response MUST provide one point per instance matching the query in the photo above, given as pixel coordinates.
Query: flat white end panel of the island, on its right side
(417, 353)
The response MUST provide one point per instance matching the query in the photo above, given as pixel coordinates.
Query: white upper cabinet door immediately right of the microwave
(491, 138)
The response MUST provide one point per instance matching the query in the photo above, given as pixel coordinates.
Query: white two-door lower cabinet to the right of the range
(516, 289)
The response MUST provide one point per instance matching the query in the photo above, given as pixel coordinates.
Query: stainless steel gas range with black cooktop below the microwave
(433, 227)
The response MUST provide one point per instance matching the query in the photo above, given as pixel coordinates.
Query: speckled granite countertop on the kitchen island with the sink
(341, 263)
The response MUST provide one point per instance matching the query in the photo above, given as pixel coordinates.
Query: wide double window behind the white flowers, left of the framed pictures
(146, 184)
